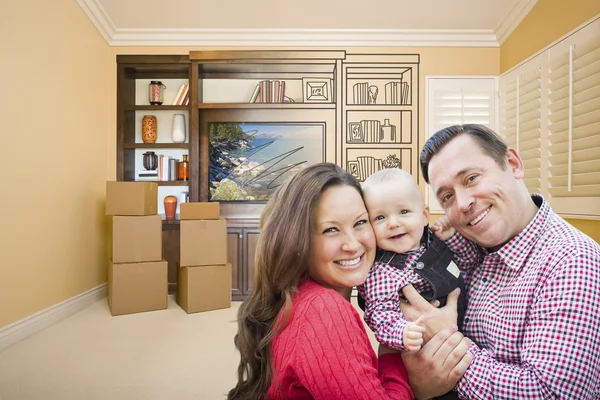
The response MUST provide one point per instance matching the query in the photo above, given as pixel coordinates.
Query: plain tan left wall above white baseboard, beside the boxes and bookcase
(55, 91)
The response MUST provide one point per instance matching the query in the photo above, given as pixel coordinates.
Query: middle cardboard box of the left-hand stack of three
(134, 238)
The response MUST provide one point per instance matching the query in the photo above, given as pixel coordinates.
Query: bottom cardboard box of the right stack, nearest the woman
(204, 288)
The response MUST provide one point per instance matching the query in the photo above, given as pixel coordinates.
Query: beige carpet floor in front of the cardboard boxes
(92, 355)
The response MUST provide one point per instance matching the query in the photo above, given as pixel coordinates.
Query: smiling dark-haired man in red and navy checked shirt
(533, 292)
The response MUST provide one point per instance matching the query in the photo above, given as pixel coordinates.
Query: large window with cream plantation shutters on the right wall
(550, 112)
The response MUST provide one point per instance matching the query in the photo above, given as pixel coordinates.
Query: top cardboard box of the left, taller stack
(131, 198)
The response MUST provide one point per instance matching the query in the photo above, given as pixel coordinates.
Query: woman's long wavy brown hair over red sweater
(280, 264)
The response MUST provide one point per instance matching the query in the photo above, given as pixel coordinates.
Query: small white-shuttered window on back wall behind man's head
(455, 101)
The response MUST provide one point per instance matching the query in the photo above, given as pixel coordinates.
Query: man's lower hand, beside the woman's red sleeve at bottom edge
(437, 367)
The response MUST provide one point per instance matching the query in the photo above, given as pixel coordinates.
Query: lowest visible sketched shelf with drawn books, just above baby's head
(364, 162)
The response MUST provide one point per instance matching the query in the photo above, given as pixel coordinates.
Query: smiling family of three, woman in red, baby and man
(523, 284)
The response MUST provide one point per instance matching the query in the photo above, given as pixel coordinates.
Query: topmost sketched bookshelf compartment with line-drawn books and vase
(392, 87)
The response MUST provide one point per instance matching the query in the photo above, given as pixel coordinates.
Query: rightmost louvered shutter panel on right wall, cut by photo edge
(574, 114)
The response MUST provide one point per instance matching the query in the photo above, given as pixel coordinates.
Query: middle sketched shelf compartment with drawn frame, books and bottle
(374, 127)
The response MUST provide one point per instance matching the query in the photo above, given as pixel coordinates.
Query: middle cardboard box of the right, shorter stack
(203, 242)
